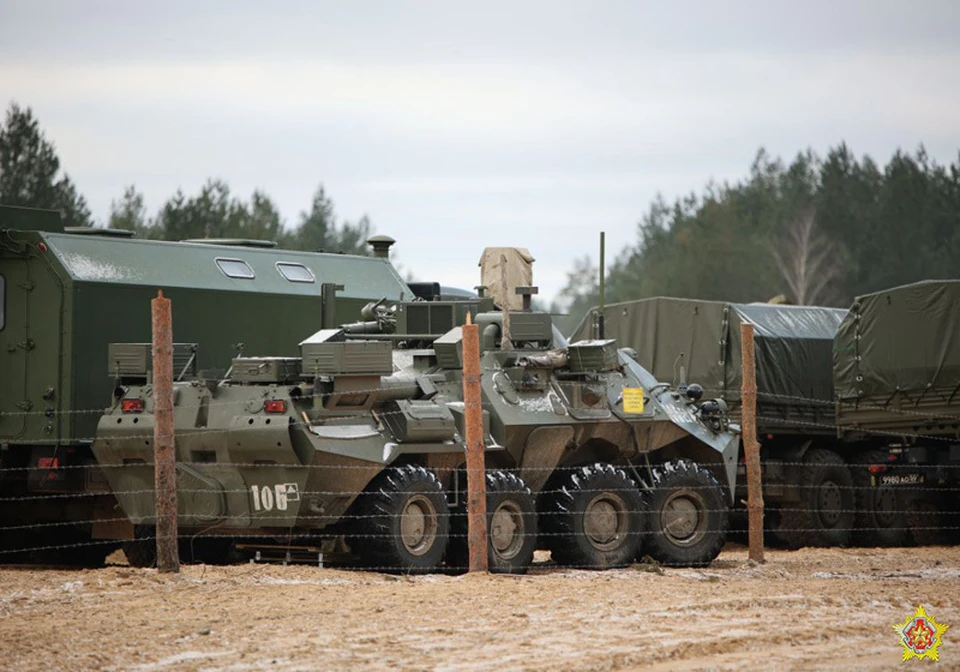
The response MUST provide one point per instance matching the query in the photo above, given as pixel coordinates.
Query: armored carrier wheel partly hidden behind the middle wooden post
(511, 527)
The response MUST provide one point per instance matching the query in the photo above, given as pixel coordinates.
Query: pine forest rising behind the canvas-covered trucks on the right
(814, 231)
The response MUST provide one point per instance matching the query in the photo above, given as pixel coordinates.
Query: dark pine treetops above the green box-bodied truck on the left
(31, 175)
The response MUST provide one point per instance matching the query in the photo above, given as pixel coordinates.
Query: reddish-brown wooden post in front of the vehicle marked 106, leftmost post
(164, 453)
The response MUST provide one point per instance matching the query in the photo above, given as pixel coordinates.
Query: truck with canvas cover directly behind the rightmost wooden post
(807, 485)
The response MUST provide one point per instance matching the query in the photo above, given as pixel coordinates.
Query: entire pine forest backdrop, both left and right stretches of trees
(813, 230)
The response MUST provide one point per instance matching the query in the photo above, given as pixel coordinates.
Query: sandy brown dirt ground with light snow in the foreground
(807, 609)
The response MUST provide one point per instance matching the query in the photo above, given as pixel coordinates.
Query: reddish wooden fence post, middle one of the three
(473, 438)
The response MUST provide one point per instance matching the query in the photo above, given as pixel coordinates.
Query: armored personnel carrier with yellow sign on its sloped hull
(621, 464)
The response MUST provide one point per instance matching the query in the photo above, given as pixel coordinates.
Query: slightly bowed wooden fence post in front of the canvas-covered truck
(751, 447)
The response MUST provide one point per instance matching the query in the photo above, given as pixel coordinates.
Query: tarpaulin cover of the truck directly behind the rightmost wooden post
(794, 346)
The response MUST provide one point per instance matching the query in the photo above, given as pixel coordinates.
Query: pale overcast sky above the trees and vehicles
(458, 125)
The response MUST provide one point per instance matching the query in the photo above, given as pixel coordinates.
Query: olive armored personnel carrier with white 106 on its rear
(333, 444)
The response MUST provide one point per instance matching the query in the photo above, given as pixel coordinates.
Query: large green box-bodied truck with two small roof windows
(66, 293)
